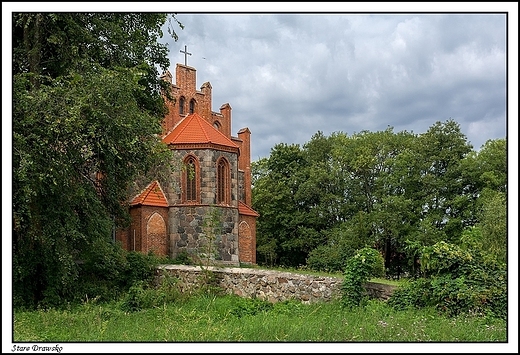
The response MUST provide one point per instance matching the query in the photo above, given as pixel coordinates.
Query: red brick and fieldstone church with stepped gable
(214, 180)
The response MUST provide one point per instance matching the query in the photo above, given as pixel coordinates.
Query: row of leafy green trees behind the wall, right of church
(396, 192)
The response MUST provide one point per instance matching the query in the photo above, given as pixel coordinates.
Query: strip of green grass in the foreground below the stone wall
(234, 319)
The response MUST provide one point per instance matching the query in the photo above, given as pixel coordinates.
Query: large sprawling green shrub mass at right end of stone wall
(458, 280)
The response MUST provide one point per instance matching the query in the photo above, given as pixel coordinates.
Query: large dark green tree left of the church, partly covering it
(87, 110)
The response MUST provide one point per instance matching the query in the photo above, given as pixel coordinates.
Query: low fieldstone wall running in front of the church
(273, 286)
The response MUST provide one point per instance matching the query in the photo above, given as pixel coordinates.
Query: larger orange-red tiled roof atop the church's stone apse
(194, 129)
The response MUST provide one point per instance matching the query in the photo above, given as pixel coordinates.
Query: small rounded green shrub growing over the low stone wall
(367, 263)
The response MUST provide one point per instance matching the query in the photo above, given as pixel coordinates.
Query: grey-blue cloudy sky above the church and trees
(288, 76)
